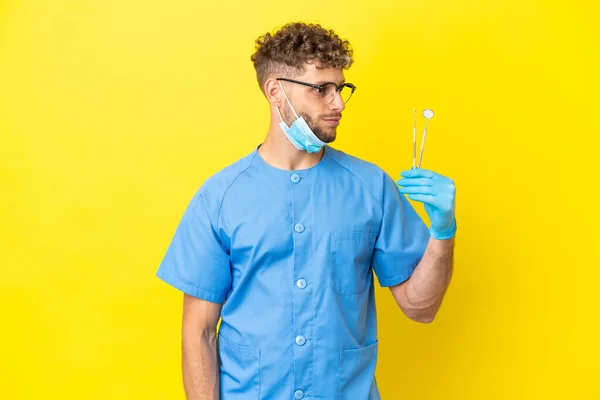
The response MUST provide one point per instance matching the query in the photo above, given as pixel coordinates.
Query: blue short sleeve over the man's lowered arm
(195, 262)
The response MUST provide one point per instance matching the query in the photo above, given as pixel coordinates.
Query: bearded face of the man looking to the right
(323, 118)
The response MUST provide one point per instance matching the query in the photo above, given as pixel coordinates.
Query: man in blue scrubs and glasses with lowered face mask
(283, 244)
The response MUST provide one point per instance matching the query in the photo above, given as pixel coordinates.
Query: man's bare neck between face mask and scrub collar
(277, 151)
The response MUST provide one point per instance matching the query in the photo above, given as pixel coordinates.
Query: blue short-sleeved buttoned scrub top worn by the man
(291, 254)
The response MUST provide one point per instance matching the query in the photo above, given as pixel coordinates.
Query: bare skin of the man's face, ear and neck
(321, 117)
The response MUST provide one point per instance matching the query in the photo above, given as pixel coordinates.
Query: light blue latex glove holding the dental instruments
(438, 195)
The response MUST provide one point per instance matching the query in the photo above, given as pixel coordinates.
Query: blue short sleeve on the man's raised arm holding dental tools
(402, 238)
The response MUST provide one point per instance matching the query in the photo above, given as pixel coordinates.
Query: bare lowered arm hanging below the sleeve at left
(199, 350)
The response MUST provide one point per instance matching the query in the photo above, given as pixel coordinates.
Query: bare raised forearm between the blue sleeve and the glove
(420, 297)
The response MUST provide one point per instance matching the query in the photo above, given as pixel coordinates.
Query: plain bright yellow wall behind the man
(112, 113)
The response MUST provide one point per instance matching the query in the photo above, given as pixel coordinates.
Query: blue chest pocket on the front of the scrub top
(350, 261)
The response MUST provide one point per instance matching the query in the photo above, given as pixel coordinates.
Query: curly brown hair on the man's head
(287, 51)
